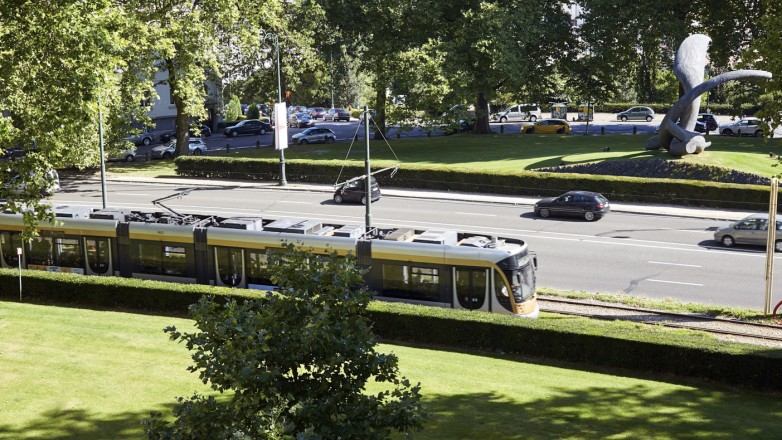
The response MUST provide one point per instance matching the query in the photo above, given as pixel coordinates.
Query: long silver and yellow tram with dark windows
(433, 267)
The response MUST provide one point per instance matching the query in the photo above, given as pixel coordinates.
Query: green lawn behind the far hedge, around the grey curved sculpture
(511, 153)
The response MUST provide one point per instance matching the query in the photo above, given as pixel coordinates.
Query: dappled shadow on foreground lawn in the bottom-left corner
(77, 424)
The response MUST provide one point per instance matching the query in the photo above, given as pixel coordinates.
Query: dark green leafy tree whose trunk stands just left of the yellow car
(498, 47)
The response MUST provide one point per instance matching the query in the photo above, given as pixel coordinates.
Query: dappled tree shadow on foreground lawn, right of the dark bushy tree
(605, 412)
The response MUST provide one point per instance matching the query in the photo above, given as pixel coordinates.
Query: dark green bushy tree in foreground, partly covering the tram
(295, 362)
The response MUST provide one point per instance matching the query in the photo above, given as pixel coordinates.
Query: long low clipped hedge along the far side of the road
(530, 183)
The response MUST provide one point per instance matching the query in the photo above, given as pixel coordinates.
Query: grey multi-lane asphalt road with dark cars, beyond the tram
(653, 256)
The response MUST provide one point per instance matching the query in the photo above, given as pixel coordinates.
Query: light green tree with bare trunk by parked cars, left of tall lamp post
(189, 41)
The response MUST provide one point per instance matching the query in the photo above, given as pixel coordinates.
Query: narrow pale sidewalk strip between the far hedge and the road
(639, 208)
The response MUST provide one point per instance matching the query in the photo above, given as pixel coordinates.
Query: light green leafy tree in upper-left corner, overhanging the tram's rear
(62, 63)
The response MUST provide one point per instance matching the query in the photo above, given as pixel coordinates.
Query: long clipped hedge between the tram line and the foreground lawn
(623, 345)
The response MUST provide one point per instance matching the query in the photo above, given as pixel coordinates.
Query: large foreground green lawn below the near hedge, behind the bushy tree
(74, 374)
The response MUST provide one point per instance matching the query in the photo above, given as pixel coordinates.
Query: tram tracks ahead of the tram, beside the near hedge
(722, 328)
